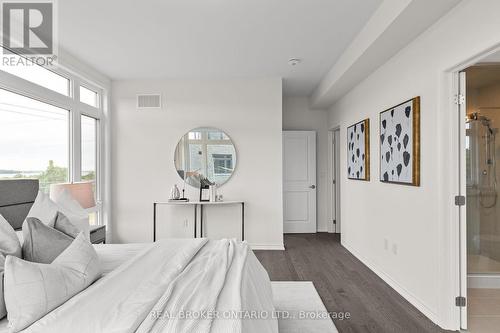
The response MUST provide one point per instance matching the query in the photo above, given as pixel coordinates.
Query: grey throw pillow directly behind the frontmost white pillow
(42, 244)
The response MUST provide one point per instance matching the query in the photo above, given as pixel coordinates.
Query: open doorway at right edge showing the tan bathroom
(482, 159)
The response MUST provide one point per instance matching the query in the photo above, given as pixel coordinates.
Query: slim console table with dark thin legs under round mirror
(201, 204)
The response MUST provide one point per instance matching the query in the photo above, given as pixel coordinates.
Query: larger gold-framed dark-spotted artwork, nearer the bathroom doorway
(400, 143)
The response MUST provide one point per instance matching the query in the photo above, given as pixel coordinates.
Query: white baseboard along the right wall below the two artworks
(415, 301)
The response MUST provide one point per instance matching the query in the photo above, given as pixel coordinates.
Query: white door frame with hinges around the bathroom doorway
(452, 125)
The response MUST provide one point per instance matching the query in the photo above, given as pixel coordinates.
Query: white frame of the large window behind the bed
(76, 109)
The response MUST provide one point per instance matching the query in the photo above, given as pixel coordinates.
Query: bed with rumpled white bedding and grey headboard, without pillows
(172, 285)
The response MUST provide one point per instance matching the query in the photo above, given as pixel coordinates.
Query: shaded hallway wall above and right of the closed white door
(297, 115)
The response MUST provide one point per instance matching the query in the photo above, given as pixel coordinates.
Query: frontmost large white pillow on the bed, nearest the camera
(32, 290)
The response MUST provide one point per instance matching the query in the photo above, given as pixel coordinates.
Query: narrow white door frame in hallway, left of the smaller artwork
(334, 192)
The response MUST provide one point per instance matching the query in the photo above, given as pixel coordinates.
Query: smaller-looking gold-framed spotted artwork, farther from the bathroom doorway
(358, 150)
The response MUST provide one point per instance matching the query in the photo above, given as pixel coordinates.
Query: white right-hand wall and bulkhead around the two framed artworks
(418, 220)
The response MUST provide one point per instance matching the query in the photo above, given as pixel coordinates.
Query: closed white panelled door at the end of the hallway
(299, 181)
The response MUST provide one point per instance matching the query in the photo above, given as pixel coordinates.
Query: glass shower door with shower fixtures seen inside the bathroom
(483, 227)
